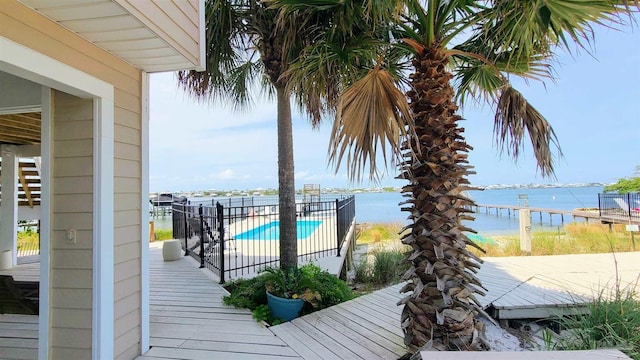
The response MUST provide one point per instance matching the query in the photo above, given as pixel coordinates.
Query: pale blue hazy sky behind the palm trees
(593, 106)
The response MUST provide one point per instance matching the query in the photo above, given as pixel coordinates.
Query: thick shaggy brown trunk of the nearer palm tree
(440, 309)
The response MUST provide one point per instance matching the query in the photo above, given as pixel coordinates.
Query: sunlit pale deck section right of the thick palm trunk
(544, 286)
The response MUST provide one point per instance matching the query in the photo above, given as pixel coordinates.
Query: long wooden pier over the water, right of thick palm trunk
(512, 210)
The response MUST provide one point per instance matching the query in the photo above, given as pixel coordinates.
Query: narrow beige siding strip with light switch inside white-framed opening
(71, 272)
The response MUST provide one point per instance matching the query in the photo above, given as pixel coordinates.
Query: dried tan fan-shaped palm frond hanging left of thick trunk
(373, 113)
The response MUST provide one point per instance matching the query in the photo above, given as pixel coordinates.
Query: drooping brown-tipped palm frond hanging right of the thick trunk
(514, 116)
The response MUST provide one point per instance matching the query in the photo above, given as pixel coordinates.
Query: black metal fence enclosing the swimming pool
(237, 237)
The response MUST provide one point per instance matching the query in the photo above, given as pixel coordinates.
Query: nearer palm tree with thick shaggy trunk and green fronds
(460, 49)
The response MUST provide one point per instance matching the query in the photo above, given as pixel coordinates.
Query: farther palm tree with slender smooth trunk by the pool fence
(252, 41)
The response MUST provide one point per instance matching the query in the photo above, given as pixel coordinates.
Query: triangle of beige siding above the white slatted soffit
(176, 21)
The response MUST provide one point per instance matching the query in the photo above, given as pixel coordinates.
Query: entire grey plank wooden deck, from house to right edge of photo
(189, 321)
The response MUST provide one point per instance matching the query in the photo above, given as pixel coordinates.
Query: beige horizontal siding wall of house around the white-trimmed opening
(72, 174)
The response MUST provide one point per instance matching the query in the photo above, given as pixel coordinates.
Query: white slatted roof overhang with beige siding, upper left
(152, 36)
